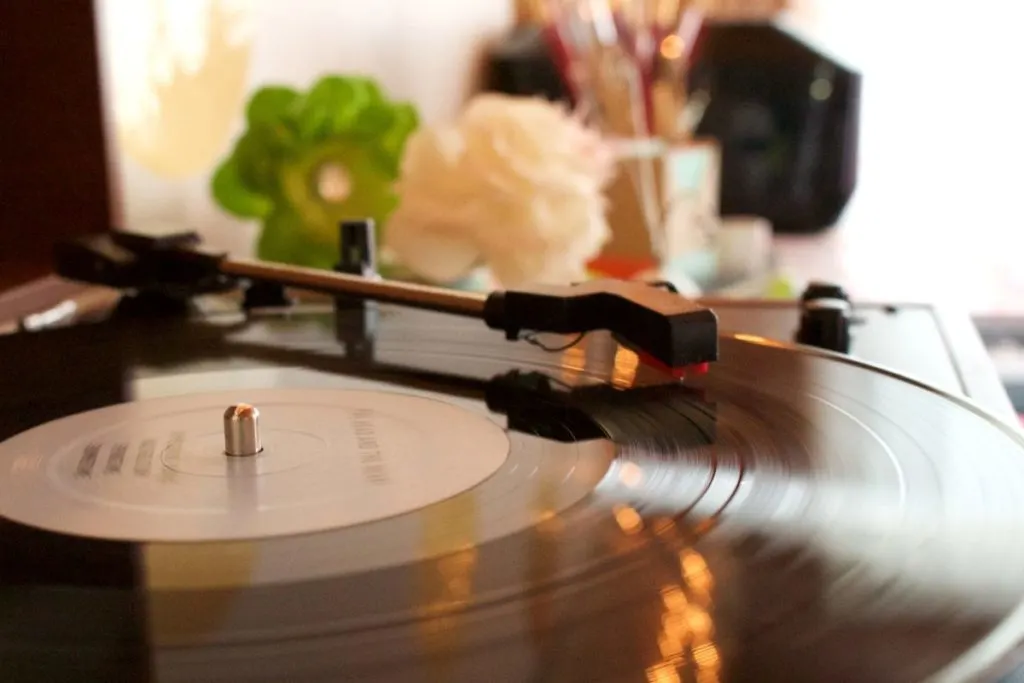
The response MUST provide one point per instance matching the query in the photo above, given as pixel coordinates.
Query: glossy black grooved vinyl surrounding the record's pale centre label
(790, 517)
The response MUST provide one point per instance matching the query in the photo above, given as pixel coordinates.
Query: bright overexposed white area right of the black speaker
(938, 215)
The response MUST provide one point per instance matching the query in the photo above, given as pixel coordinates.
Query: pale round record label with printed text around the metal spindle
(155, 471)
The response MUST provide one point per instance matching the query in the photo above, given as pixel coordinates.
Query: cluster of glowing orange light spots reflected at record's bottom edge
(686, 641)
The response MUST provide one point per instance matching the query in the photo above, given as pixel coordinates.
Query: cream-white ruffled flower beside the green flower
(516, 184)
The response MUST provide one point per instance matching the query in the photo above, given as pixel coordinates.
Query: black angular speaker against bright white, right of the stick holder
(787, 117)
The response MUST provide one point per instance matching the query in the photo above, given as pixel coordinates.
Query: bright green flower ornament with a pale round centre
(308, 161)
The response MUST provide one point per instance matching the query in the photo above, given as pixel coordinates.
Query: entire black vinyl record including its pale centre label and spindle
(413, 498)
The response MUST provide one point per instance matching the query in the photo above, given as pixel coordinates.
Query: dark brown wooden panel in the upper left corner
(54, 175)
